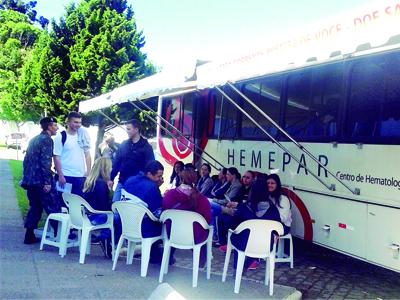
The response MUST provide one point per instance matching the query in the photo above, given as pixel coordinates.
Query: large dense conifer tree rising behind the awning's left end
(94, 48)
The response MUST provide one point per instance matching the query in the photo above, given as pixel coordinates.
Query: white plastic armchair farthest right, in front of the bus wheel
(258, 246)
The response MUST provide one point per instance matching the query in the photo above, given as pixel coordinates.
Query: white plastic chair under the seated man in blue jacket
(132, 215)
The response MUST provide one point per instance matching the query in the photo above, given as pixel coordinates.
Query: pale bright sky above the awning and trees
(178, 32)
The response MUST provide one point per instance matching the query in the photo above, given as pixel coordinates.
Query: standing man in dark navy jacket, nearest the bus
(131, 158)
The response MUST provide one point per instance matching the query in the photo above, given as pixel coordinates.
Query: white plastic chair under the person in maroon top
(182, 237)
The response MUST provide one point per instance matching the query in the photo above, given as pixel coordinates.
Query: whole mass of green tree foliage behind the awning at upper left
(93, 48)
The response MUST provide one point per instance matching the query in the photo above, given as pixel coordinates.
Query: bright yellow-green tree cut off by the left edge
(17, 38)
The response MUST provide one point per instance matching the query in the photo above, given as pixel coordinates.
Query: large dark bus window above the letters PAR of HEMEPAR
(313, 103)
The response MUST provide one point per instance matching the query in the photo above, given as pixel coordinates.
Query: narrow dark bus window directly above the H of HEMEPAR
(225, 122)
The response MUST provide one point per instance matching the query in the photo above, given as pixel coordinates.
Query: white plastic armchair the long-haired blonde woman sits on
(80, 221)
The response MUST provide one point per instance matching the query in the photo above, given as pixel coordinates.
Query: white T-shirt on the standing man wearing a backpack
(72, 156)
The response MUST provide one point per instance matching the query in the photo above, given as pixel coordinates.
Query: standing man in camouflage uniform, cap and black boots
(37, 177)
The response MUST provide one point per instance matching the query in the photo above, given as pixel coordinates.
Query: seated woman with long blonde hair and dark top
(97, 194)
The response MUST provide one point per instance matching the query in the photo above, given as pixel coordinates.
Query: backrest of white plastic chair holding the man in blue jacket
(131, 215)
